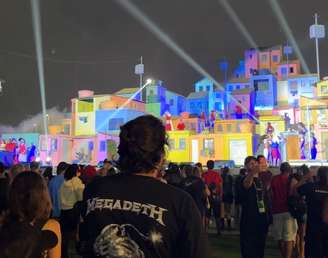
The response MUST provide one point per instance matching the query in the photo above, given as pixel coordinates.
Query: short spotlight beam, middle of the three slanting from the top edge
(236, 20)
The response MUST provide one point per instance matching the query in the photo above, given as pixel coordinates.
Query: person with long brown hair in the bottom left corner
(27, 230)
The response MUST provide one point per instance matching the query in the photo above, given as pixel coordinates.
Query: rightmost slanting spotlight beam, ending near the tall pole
(288, 32)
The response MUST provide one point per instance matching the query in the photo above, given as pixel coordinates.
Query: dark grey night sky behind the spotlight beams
(95, 45)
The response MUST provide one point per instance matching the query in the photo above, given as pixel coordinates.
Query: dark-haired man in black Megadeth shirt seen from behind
(133, 214)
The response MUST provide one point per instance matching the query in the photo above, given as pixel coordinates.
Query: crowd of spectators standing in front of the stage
(143, 207)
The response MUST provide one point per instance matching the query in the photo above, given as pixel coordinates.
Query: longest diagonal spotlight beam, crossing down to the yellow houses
(133, 10)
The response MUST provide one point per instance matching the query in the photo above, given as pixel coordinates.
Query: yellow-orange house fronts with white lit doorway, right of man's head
(231, 140)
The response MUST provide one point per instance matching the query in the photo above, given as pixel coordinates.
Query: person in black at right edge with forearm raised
(316, 194)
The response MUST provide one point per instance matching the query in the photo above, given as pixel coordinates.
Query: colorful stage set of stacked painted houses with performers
(268, 106)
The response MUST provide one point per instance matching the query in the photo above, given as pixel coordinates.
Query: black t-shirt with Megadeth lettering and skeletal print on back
(133, 216)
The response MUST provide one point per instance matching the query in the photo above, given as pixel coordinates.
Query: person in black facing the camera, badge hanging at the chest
(254, 217)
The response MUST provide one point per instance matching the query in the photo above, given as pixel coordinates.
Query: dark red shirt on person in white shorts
(279, 187)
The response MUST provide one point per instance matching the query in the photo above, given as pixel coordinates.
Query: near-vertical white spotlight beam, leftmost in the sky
(36, 19)
